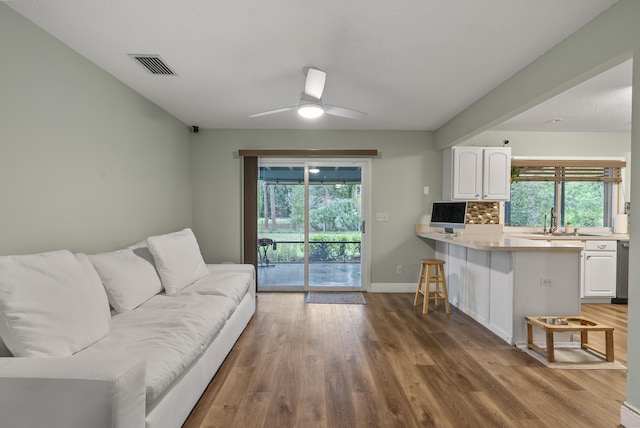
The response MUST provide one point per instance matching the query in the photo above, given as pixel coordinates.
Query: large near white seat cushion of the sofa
(167, 332)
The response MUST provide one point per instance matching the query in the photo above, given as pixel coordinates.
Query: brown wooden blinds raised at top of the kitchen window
(604, 171)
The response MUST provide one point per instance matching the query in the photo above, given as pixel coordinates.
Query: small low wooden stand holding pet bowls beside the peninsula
(579, 323)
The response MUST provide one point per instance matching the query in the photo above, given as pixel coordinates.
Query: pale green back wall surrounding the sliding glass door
(406, 163)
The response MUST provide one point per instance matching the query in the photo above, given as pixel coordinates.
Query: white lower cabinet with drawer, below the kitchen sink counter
(600, 266)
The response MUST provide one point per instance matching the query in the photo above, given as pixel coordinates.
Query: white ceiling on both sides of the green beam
(411, 64)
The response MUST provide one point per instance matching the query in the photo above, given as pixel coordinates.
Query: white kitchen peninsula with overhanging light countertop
(497, 279)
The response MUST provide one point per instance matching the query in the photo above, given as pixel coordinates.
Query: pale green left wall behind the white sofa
(85, 163)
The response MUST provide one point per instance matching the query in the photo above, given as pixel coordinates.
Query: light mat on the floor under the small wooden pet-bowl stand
(573, 358)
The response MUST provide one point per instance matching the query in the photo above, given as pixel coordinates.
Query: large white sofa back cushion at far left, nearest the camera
(51, 304)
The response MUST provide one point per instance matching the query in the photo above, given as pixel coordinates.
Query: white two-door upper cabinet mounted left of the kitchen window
(477, 173)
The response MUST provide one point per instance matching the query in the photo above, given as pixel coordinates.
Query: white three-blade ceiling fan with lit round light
(310, 105)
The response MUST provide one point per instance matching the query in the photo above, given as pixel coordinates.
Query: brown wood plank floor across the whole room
(385, 364)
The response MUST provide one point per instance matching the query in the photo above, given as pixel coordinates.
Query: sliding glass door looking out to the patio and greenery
(311, 224)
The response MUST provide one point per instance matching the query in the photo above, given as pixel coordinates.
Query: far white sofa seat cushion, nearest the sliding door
(223, 282)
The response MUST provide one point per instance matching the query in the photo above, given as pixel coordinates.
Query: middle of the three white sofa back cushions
(129, 277)
